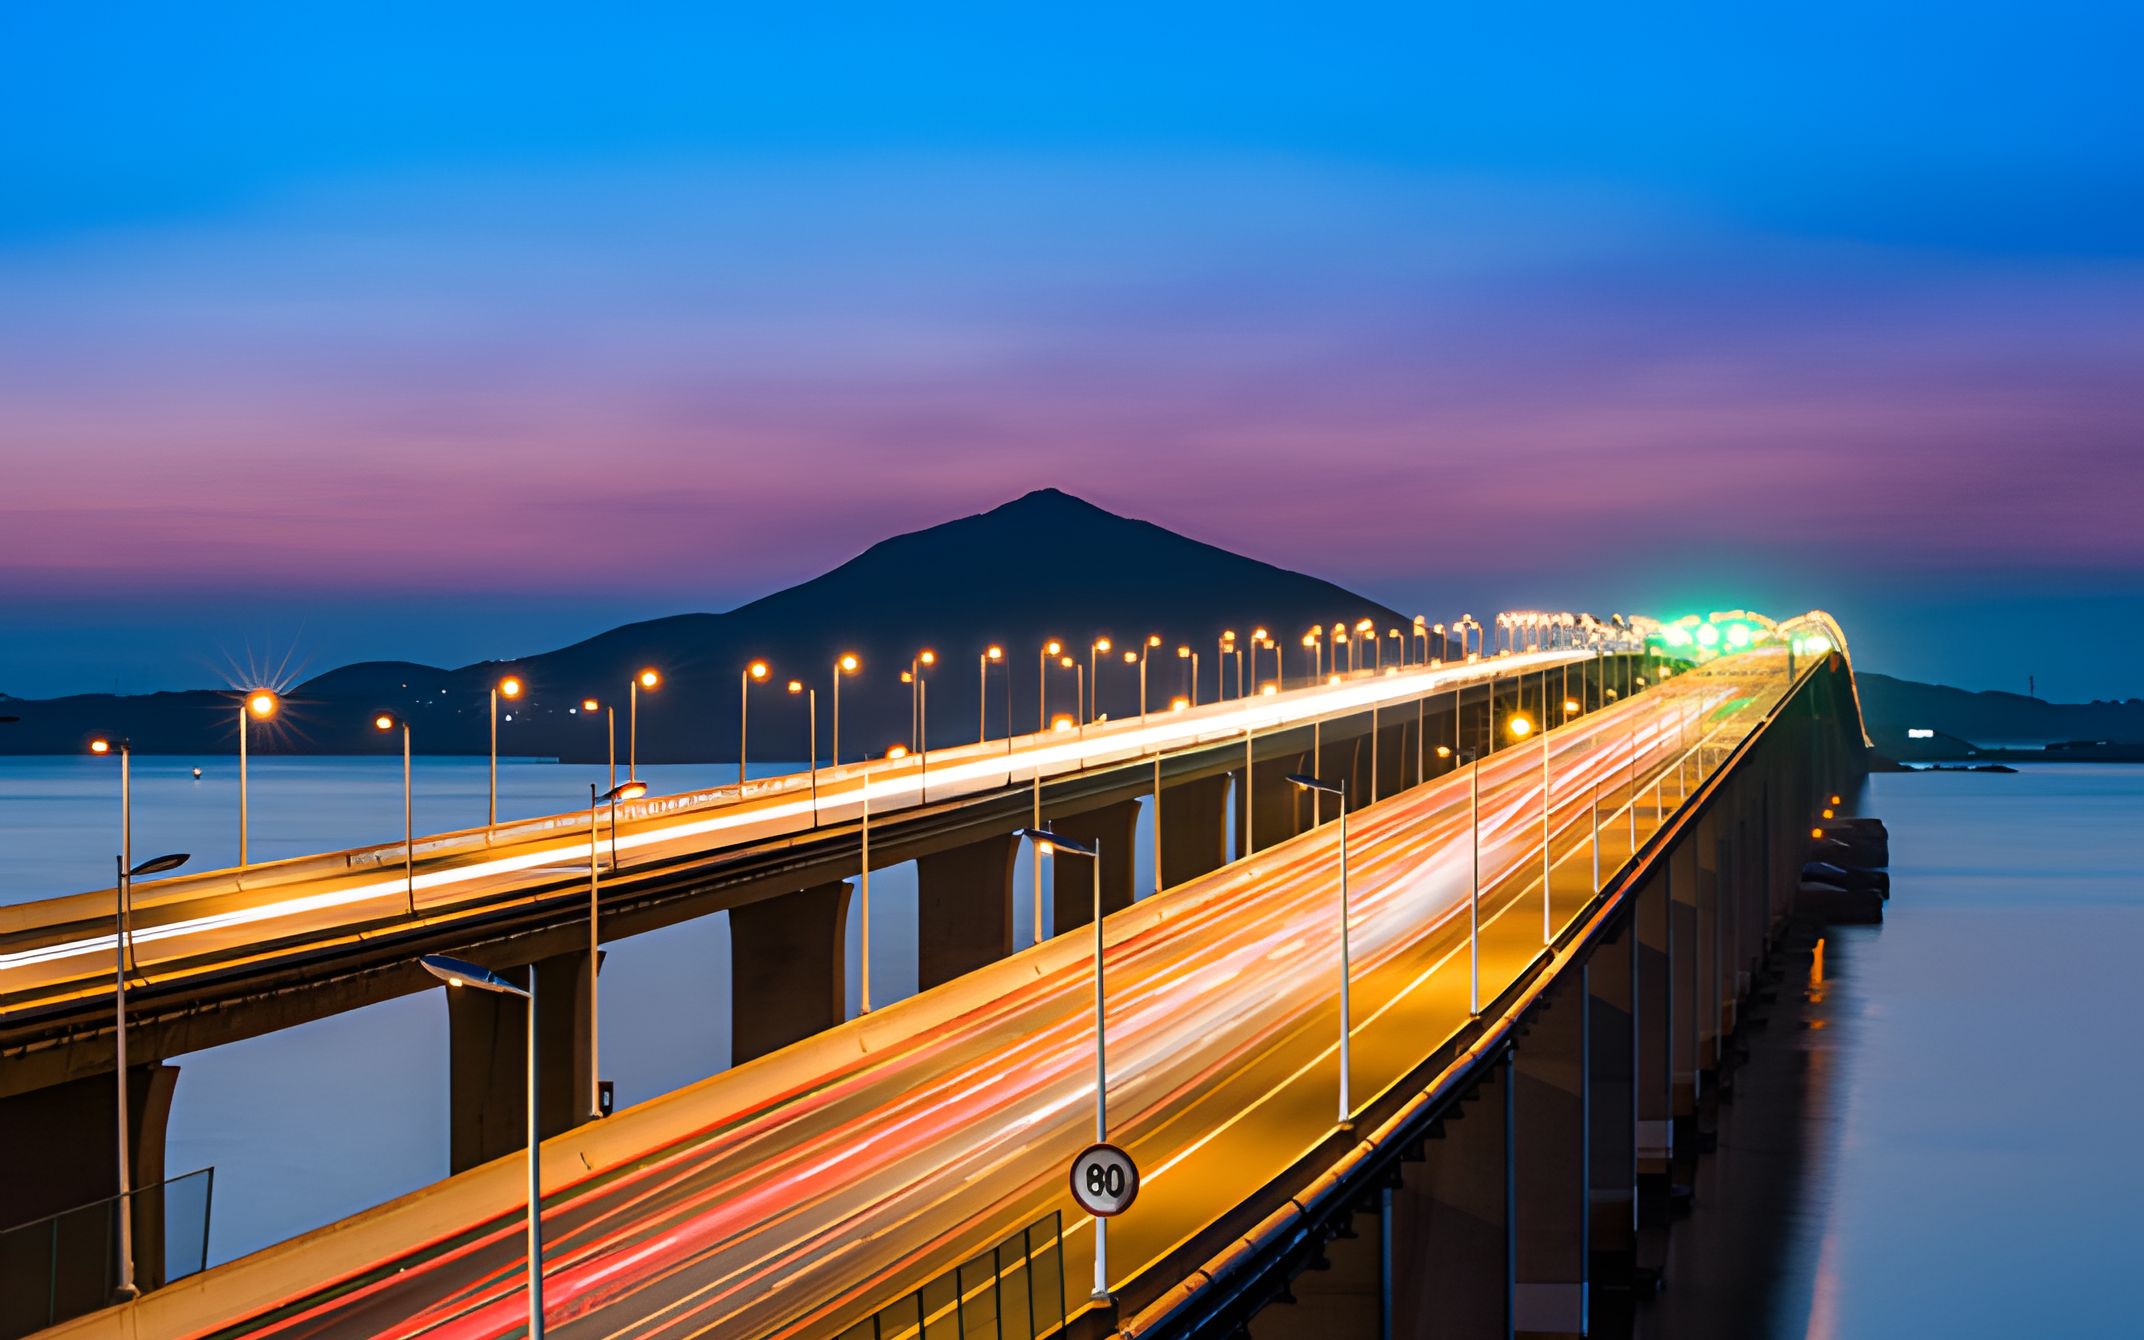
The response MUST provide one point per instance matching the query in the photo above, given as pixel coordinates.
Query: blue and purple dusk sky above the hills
(449, 333)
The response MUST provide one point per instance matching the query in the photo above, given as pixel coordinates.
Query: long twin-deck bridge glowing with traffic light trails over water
(1547, 951)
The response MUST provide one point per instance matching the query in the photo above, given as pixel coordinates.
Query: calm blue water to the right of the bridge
(1937, 1133)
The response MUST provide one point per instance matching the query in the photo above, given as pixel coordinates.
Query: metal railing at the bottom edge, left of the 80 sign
(1011, 1292)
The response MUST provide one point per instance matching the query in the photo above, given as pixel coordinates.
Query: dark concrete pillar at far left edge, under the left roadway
(59, 1152)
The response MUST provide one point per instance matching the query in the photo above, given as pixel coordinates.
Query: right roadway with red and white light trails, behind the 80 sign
(809, 1189)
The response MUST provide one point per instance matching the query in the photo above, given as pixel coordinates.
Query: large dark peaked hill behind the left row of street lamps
(1045, 565)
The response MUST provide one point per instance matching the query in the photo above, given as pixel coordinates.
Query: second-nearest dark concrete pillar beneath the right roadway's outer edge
(1453, 1249)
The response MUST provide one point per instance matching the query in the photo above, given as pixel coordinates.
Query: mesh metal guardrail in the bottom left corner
(68, 1264)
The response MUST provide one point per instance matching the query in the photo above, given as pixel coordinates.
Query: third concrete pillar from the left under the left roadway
(788, 964)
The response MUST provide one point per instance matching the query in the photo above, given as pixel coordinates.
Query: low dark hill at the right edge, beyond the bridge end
(1892, 709)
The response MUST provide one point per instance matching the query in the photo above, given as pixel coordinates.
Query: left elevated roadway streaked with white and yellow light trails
(61, 951)
